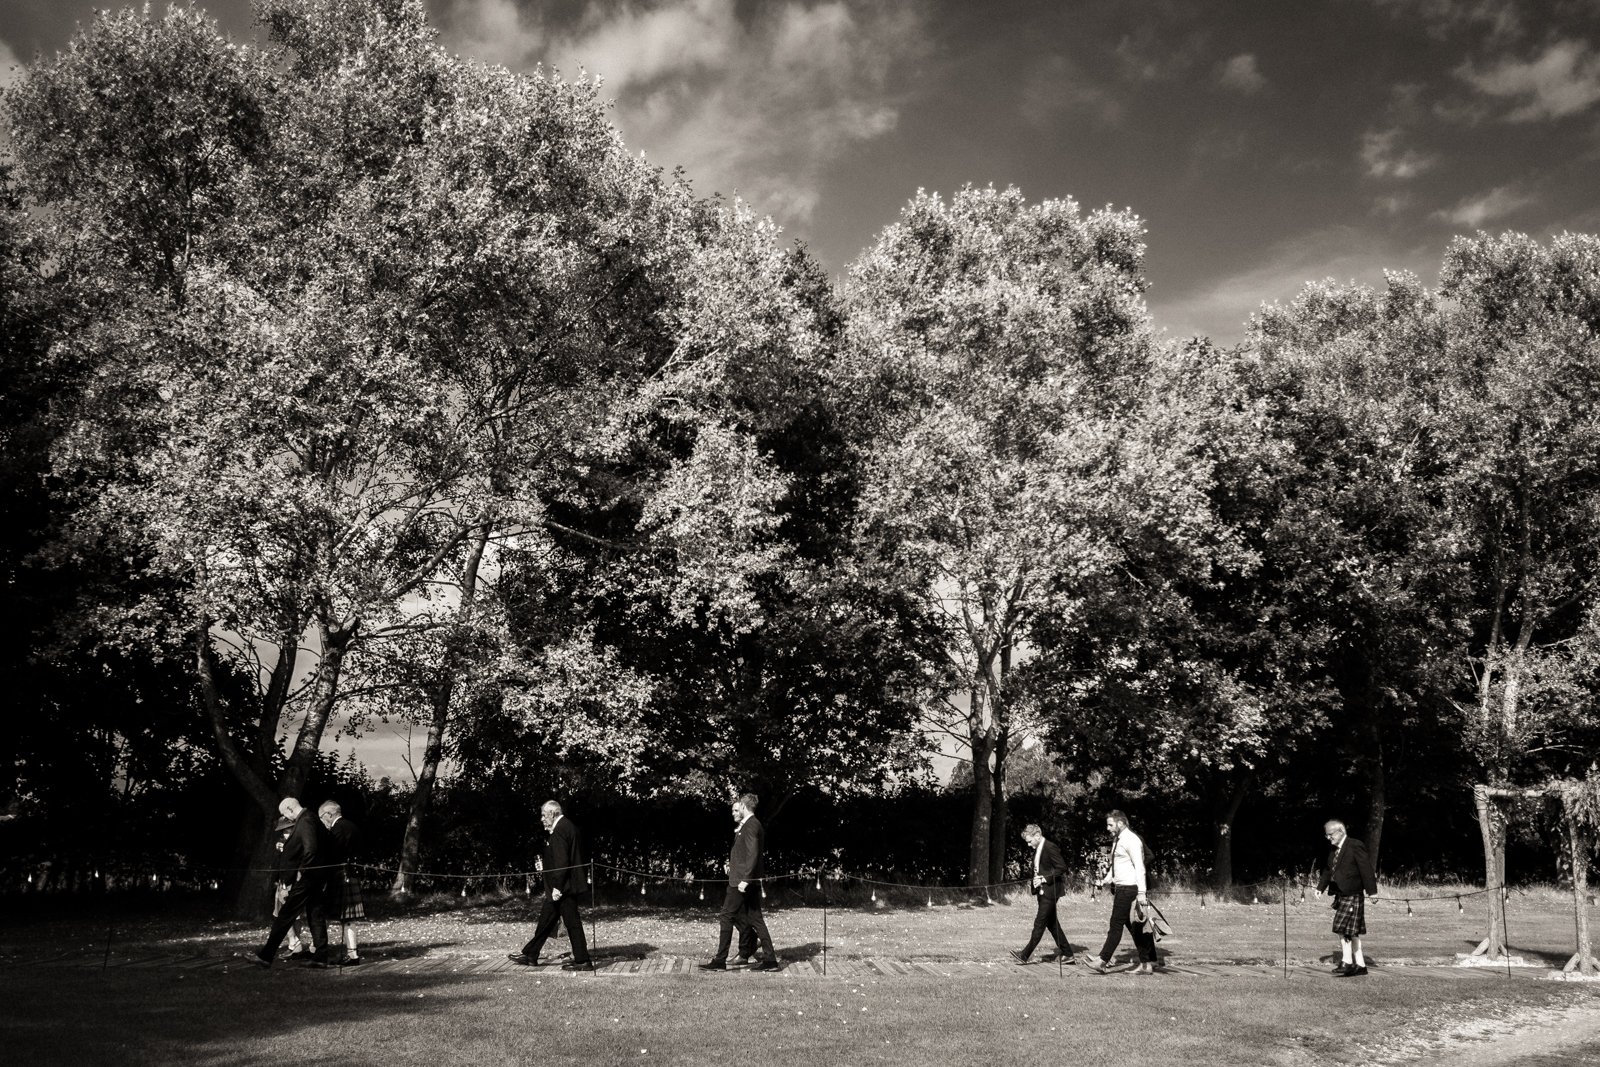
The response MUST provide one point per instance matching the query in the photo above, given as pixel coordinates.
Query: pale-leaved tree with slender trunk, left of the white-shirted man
(998, 351)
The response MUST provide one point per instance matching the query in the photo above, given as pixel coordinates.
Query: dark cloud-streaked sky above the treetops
(1265, 143)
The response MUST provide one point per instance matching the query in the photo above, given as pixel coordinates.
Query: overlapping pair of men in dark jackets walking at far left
(313, 884)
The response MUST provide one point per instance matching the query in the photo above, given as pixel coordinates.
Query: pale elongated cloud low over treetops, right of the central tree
(1222, 310)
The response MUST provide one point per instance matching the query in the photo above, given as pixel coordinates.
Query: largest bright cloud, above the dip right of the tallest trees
(759, 102)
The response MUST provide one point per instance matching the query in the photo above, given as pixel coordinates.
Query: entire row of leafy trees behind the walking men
(356, 383)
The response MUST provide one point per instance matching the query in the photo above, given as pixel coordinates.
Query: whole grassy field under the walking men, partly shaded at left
(172, 988)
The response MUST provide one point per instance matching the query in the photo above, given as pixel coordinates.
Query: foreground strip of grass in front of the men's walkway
(295, 1017)
